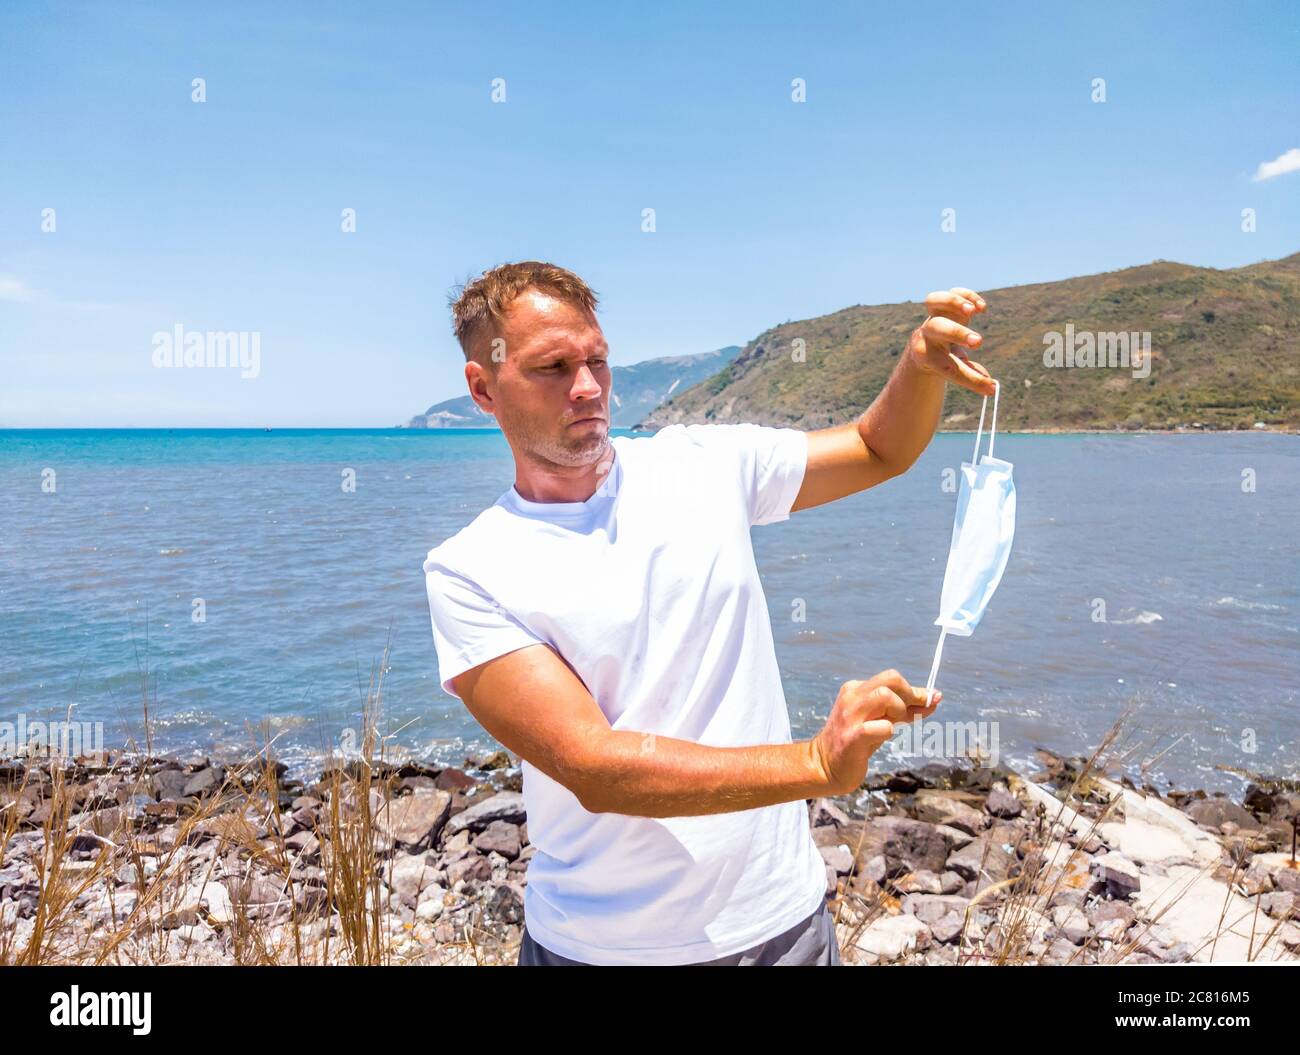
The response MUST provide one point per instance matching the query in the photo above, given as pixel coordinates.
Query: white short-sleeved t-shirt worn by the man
(651, 593)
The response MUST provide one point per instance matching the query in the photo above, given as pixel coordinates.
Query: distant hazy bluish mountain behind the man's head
(638, 390)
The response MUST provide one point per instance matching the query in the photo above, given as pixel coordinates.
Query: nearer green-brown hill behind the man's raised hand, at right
(1225, 354)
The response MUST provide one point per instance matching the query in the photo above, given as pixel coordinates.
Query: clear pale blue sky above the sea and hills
(226, 215)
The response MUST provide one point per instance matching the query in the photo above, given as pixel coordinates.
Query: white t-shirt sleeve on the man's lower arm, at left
(469, 626)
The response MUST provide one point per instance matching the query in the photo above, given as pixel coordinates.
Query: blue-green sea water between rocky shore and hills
(304, 584)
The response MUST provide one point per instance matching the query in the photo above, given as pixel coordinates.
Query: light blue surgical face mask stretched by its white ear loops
(983, 529)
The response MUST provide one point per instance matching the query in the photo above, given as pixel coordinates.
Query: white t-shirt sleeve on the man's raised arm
(770, 462)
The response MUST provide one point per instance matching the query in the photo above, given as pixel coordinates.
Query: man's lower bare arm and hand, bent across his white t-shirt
(534, 704)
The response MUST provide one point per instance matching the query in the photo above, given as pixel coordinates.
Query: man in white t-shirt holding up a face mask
(605, 622)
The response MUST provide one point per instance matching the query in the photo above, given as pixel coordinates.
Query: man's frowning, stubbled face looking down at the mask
(552, 393)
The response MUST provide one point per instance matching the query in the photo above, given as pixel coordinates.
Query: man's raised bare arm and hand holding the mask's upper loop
(900, 423)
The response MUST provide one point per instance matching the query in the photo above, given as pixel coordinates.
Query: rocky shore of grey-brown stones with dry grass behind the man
(161, 862)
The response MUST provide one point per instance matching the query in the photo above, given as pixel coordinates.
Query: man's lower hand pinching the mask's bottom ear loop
(863, 719)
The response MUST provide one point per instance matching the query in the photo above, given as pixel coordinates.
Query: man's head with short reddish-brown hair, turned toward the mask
(536, 361)
